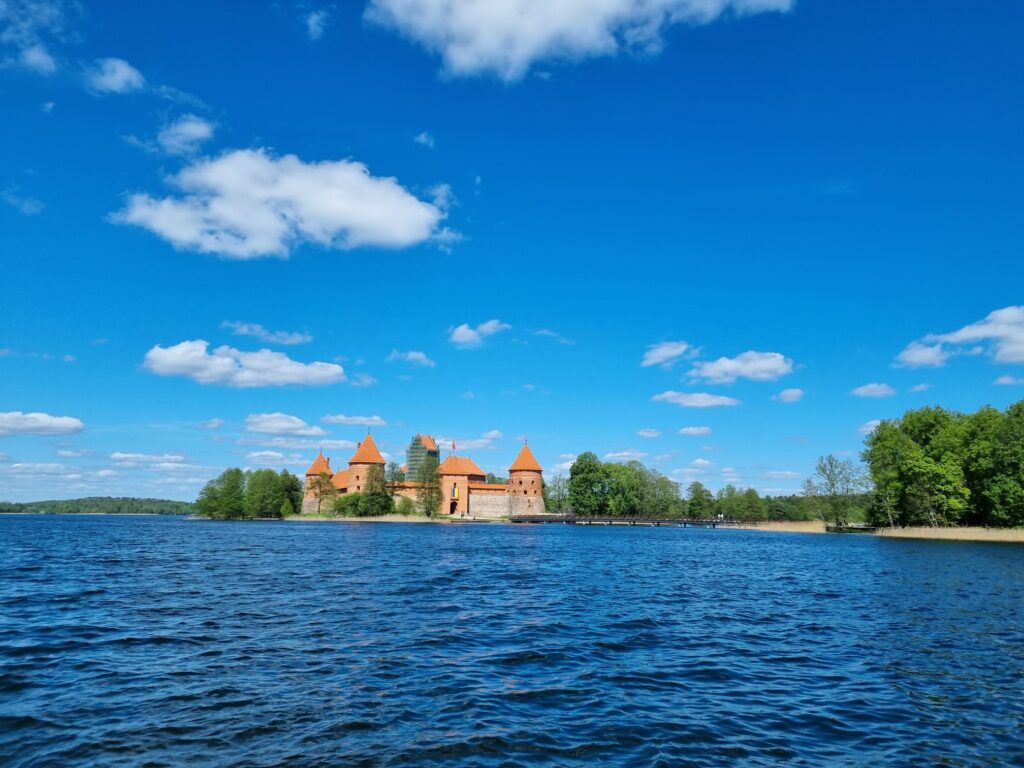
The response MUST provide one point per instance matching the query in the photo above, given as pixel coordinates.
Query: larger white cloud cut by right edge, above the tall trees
(1003, 330)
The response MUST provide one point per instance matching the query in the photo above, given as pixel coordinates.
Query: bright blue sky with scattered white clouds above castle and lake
(482, 222)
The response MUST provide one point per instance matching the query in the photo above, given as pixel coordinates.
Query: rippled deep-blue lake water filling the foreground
(163, 642)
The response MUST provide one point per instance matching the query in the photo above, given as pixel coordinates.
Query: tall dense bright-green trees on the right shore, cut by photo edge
(938, 467)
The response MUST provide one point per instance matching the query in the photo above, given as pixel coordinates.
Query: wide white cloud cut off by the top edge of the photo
(507, 37)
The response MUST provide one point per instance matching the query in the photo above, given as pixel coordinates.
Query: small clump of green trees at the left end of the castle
(262, 494)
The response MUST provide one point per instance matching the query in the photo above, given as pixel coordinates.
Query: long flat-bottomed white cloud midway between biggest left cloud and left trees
(234, 368)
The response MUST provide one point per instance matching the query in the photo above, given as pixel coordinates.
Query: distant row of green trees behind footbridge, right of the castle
(596, 489)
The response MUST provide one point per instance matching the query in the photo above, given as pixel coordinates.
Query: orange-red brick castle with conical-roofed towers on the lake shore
(464, 487)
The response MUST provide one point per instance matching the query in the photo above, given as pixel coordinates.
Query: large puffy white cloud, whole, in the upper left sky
(248, 204)
